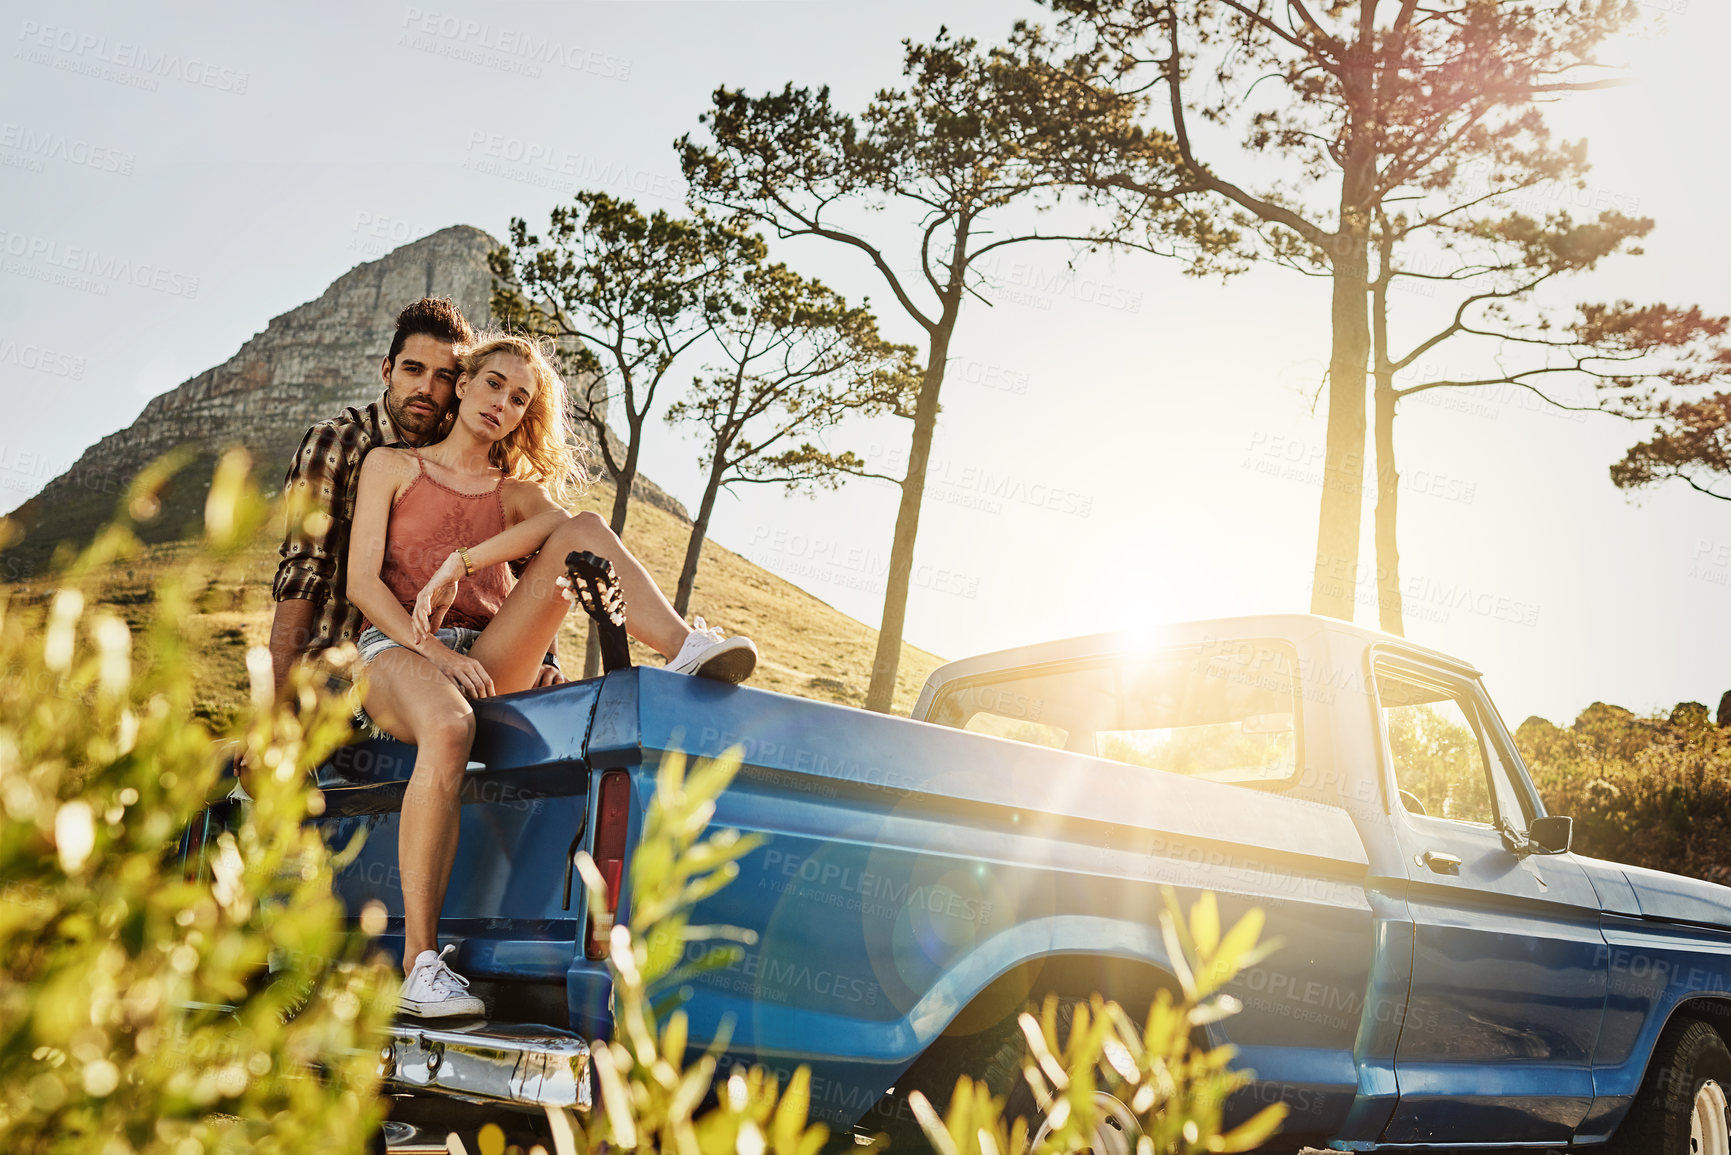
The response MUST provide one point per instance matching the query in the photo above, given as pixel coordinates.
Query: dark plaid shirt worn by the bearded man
(321, 489)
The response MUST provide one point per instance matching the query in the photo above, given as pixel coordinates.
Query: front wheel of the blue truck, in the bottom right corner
(1682, 1106)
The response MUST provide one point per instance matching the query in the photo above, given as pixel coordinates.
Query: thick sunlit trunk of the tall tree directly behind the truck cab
(1334, 581)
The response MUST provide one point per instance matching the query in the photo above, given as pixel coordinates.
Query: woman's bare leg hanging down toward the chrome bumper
(411, 700)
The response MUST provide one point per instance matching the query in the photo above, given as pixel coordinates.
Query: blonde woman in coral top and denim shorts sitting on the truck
(447, 624)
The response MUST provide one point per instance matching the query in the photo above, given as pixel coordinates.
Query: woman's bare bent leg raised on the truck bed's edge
(513, 643)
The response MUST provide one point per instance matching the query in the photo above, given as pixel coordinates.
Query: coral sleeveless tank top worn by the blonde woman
(428, 524)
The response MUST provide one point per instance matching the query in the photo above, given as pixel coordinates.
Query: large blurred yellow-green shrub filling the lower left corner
(138, 1009)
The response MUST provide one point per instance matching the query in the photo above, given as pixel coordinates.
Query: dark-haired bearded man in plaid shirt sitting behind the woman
(420, 378)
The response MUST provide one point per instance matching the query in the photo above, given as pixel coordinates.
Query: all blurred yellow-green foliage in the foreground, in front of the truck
(143, 1012)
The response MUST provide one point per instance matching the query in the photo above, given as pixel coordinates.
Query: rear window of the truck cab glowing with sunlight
(1221, 713)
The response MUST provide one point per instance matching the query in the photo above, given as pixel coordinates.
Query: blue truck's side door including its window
(1509, 964)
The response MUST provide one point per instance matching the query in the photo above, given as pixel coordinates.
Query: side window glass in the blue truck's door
(1436, 749)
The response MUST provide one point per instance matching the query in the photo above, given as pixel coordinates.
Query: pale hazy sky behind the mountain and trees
(1119, 444)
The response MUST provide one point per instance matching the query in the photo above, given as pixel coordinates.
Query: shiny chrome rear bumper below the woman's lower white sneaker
(484, 1062)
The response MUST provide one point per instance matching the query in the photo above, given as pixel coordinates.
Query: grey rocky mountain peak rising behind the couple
(304, 368)
